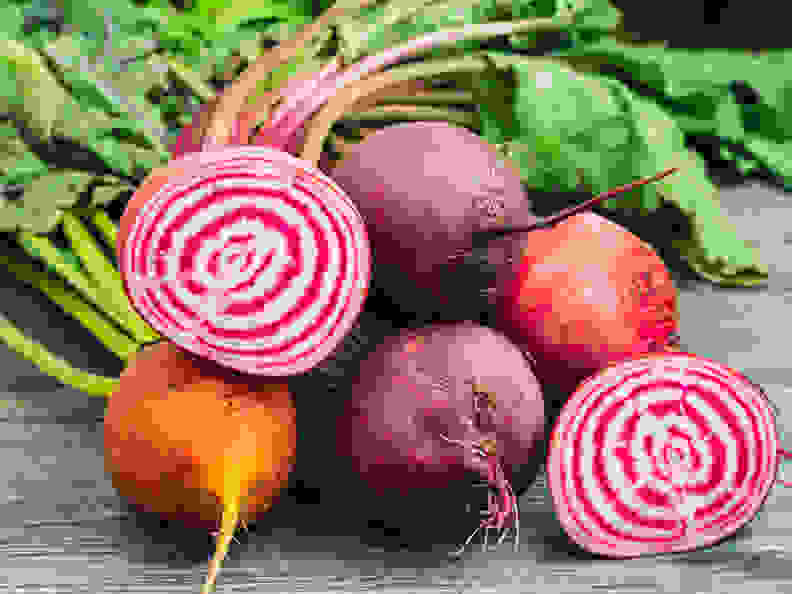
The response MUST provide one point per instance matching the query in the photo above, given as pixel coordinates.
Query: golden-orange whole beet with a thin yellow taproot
(199, 443)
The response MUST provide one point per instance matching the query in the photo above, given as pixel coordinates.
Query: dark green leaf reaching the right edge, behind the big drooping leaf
(698, 88)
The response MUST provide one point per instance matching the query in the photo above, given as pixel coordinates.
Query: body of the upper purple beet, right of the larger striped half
(422, 189)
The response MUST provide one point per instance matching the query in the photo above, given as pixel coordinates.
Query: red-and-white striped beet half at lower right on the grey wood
(662, 454)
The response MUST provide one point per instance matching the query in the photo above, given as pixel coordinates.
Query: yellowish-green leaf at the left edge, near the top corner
(27, 88)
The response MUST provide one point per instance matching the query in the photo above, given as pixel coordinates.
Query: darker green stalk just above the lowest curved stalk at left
(71, 303)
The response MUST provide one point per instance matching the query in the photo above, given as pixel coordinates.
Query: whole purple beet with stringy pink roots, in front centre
(410, 424)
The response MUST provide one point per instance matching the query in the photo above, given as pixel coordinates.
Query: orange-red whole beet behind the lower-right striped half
(579, 296)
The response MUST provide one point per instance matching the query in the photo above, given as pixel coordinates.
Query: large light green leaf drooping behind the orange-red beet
(574, 125)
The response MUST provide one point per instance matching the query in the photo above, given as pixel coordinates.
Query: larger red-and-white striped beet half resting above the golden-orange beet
(247, 256)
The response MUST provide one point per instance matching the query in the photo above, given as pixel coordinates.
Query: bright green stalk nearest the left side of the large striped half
(105, 275)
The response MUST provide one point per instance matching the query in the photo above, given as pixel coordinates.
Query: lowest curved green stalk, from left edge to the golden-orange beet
(52, 365)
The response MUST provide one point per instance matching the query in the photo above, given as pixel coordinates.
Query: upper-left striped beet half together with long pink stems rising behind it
(249, 256)
